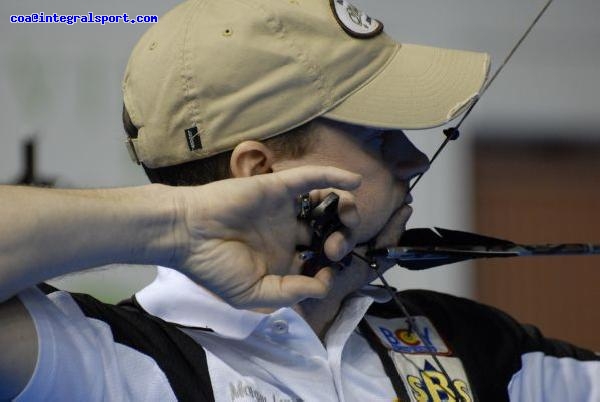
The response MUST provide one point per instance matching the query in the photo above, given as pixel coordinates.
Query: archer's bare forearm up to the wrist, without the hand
(88, 228)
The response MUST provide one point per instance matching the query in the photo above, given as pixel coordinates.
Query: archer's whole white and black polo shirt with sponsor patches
(176, 340)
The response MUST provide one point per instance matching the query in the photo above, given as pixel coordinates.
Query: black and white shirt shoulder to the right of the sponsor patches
(499, 354)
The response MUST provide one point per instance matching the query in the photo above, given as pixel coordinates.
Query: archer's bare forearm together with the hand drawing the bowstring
(236, 237)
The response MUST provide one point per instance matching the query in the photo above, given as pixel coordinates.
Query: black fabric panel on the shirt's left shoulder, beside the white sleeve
(181, 359)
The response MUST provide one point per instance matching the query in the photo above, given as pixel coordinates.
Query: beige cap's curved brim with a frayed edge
(421, 87)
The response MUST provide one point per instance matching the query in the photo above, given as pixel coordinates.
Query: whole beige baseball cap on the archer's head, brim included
(213, 73)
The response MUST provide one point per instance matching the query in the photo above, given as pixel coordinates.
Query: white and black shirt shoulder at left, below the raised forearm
(125, 345)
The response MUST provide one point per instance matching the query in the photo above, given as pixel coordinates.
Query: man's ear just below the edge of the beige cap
(250, 158)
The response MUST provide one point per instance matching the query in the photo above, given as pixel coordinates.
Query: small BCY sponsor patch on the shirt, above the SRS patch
(394, 334)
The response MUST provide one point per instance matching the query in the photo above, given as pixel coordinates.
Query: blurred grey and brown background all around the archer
(61, 85)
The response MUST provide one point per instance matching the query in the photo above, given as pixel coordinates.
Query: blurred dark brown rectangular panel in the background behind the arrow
(541, 191)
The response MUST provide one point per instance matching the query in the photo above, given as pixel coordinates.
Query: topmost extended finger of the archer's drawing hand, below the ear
(303, 179)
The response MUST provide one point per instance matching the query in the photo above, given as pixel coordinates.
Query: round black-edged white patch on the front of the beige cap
(355, 22)
